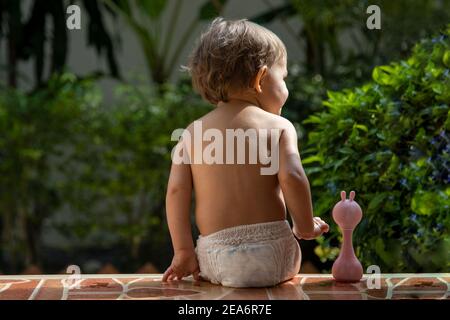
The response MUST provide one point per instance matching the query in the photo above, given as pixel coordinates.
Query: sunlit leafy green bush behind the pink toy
(389, 140)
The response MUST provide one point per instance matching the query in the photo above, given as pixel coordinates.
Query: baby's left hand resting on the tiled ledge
(184, 263)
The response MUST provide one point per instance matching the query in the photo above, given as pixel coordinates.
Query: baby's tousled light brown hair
(229, 55)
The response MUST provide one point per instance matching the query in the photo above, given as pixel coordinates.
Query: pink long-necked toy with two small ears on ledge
(347, 214)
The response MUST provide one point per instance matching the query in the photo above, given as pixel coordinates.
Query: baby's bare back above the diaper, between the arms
(232, 194)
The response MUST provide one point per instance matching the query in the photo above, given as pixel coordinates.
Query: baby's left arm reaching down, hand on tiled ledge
(178, 204)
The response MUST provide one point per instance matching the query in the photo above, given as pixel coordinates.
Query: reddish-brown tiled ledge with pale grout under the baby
(149, 286)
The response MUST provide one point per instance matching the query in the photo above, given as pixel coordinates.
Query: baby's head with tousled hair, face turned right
(236, 59)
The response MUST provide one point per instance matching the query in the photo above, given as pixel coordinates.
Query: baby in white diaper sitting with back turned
(245, 239)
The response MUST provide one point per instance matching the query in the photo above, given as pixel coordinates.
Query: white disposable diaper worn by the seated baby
(254, 255)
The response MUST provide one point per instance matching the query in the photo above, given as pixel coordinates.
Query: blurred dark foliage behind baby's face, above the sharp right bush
(339, 50)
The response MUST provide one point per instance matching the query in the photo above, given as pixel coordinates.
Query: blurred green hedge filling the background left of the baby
(93, 175)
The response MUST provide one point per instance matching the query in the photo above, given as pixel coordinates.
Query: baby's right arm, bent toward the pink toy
(295, 186)
